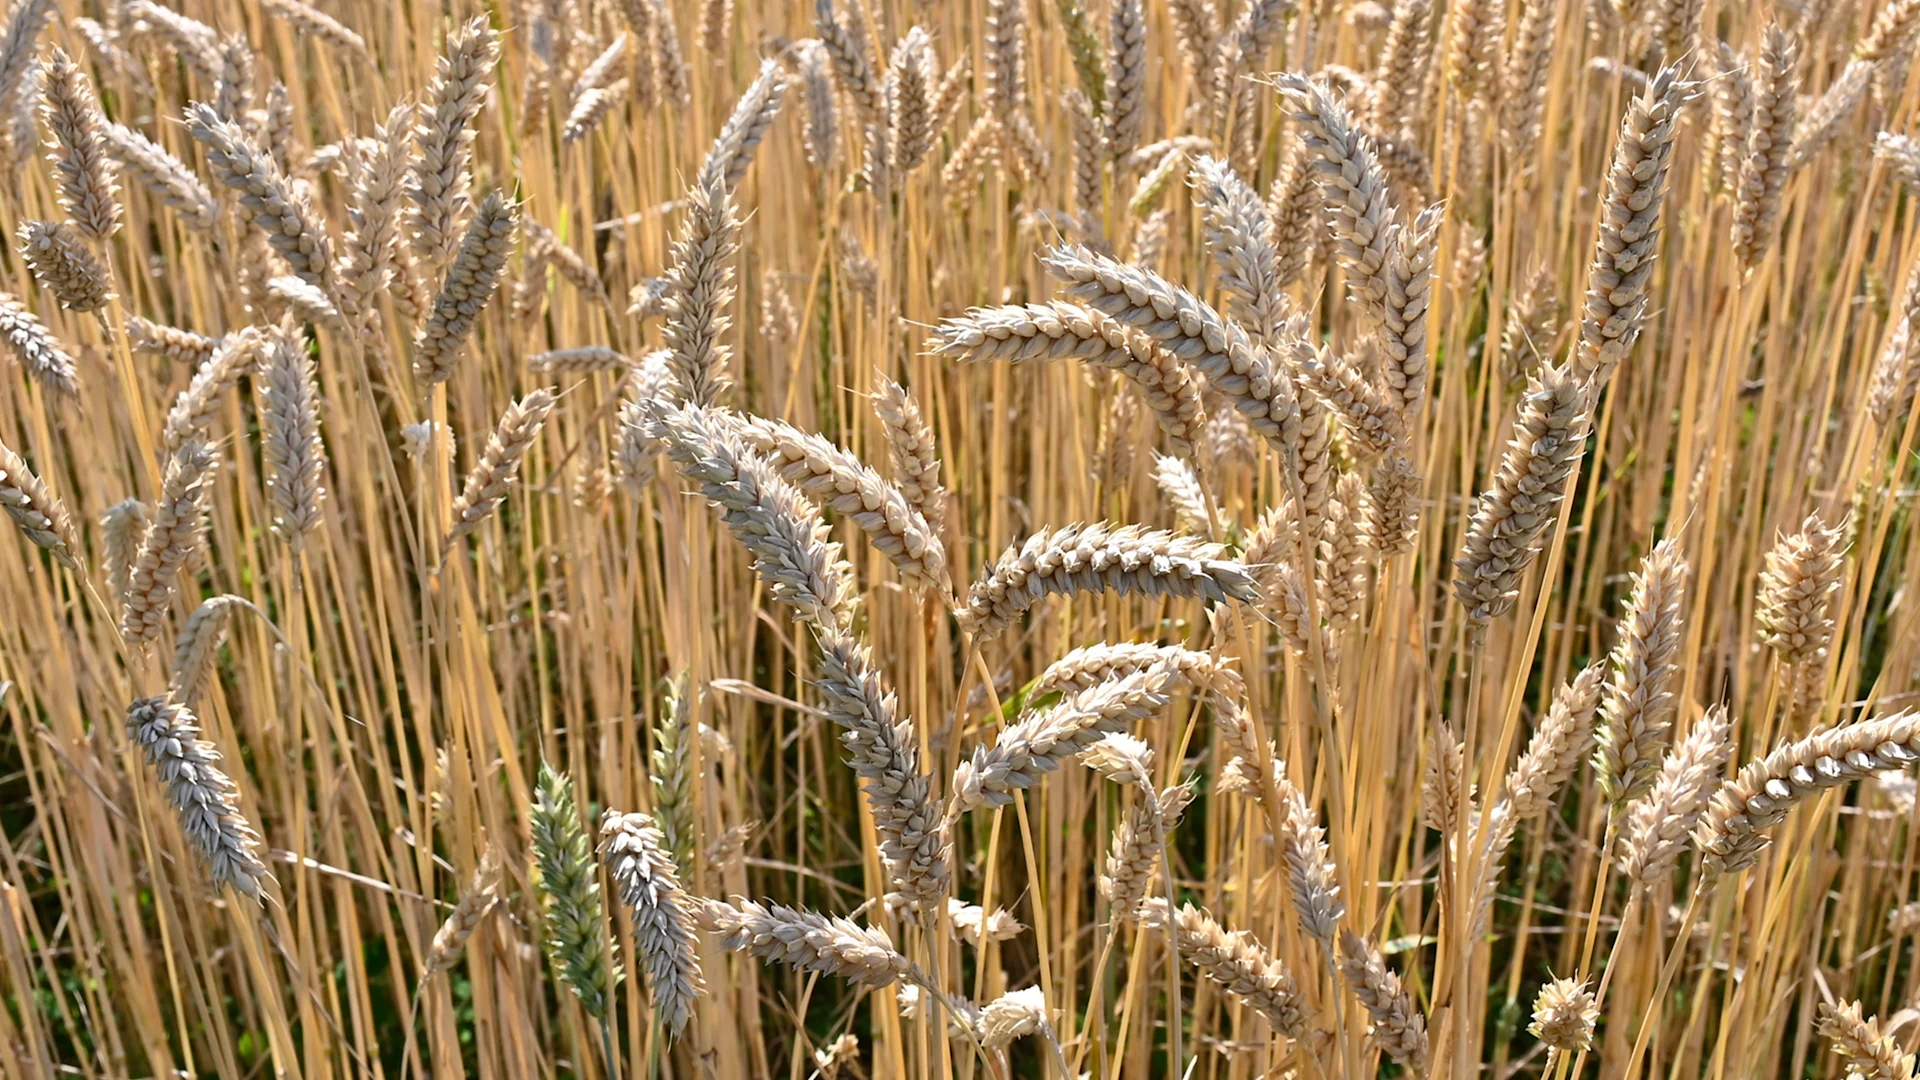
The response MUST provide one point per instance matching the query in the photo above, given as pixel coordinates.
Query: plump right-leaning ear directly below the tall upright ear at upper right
(1524, 503)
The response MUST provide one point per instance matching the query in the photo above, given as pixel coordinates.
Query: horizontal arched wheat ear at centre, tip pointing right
(1103, 556)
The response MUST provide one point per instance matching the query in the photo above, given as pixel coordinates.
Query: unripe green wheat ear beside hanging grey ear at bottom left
(569, 879)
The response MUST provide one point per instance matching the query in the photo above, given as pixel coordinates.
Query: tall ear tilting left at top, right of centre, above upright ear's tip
(1353, 187)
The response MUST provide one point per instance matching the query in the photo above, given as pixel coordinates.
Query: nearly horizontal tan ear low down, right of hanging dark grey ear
(807, 941)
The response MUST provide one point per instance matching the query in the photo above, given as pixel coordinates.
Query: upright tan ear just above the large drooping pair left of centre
(700, 295)
